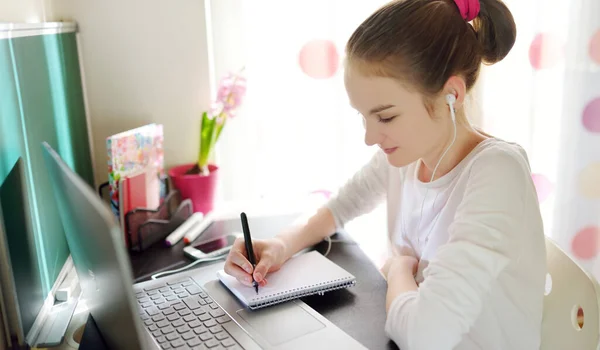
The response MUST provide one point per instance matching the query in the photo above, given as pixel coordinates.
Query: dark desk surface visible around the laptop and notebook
(359, 311)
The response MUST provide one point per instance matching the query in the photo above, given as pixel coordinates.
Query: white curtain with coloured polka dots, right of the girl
(546, 96)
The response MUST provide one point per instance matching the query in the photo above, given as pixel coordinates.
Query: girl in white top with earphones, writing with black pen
(468, 265)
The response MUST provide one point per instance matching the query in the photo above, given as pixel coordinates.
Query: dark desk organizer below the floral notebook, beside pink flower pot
(145, 226)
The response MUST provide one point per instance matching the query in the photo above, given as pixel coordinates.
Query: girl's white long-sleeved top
(480, 243)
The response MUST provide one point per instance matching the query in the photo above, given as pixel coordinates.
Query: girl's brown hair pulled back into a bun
(425, 42)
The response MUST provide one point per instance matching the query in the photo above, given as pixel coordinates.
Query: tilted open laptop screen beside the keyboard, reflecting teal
(102, 264)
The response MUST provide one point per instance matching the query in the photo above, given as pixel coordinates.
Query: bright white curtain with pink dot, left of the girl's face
(307, 136)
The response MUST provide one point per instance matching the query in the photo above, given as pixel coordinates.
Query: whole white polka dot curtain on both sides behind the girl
(297, 133)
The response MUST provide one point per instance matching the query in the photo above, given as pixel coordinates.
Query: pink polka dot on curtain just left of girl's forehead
(319, 59)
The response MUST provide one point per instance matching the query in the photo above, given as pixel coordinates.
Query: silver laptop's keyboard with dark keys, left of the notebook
(180, 315)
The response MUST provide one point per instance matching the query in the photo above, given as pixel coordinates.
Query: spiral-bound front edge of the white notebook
(296, 293)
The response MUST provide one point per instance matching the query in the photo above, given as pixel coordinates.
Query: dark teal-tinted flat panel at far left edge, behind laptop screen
(22, 289)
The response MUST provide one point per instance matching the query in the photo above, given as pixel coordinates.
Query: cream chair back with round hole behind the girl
(572, 290)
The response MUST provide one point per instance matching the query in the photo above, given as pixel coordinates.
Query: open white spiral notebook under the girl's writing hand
(302, 275)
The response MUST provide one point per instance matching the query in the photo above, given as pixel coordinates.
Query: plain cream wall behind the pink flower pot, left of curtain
(143, 62)
